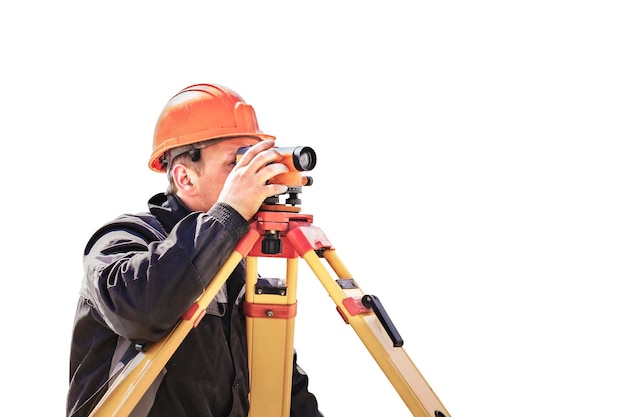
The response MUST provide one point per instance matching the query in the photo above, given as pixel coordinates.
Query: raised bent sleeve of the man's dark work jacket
(141, 281)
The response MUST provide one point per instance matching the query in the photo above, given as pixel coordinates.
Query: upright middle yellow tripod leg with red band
(270, 311)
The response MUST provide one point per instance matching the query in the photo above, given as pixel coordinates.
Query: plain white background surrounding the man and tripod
(470, 174)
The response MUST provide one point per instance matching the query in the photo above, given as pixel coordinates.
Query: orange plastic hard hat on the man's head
(200, 113)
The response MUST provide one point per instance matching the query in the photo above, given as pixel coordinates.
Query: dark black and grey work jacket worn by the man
(142, 272)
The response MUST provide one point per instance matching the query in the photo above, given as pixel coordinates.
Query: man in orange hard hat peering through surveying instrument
(143, 271)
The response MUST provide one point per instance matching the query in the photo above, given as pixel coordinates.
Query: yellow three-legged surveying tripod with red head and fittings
(279, 230)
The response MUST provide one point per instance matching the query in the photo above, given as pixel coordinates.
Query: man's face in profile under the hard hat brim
(217, 162)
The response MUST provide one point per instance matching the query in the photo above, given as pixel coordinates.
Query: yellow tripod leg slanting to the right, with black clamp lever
(393, 360)
